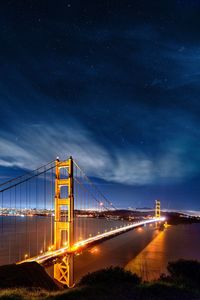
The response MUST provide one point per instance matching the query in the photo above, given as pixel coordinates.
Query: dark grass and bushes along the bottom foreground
(183, 282)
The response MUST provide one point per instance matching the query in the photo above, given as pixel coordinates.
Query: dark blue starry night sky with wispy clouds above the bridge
(115, 84)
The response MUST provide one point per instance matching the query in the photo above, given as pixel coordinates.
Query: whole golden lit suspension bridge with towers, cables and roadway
(51, 213)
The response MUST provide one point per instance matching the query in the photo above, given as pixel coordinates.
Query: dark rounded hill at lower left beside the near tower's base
(25, 275)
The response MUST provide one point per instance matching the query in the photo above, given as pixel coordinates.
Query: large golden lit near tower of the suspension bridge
(64, 270)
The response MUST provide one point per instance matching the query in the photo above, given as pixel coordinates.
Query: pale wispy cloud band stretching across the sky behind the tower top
(39, 143)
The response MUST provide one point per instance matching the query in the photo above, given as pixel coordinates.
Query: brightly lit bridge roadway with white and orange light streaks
(52, 254)
